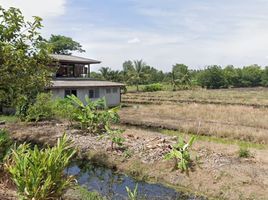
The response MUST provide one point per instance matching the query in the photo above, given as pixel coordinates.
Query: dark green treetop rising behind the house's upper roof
(64, 45)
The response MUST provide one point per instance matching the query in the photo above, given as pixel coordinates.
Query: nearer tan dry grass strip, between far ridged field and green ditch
(235, 122)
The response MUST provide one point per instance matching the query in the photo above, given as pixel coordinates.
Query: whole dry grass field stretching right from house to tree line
(216, 113)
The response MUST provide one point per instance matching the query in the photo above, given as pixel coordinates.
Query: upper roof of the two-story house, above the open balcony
(74, 59)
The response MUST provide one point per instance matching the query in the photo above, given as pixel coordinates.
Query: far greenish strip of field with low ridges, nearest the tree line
(239, 96)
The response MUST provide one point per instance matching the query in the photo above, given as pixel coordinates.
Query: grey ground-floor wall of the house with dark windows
(111, 94)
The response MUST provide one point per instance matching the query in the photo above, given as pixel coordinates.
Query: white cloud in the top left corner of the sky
(41, 8)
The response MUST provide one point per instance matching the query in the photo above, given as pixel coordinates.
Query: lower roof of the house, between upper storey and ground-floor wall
(81, 83)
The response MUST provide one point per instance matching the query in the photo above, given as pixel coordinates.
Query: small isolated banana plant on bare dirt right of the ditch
(180, 152)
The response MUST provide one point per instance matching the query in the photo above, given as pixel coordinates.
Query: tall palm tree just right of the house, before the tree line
(137, 74)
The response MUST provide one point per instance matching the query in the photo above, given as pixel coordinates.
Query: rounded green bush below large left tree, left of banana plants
(42, 109)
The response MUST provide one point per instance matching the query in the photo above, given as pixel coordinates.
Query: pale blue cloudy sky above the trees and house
(161, 32)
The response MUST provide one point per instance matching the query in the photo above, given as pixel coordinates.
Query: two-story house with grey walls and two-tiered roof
(73, 77)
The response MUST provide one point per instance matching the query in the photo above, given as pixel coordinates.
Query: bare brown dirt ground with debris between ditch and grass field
(218, 172)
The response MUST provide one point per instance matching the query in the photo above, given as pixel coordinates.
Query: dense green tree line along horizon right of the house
(181, 77)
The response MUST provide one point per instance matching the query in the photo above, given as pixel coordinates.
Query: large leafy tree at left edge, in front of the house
(24, 59)
